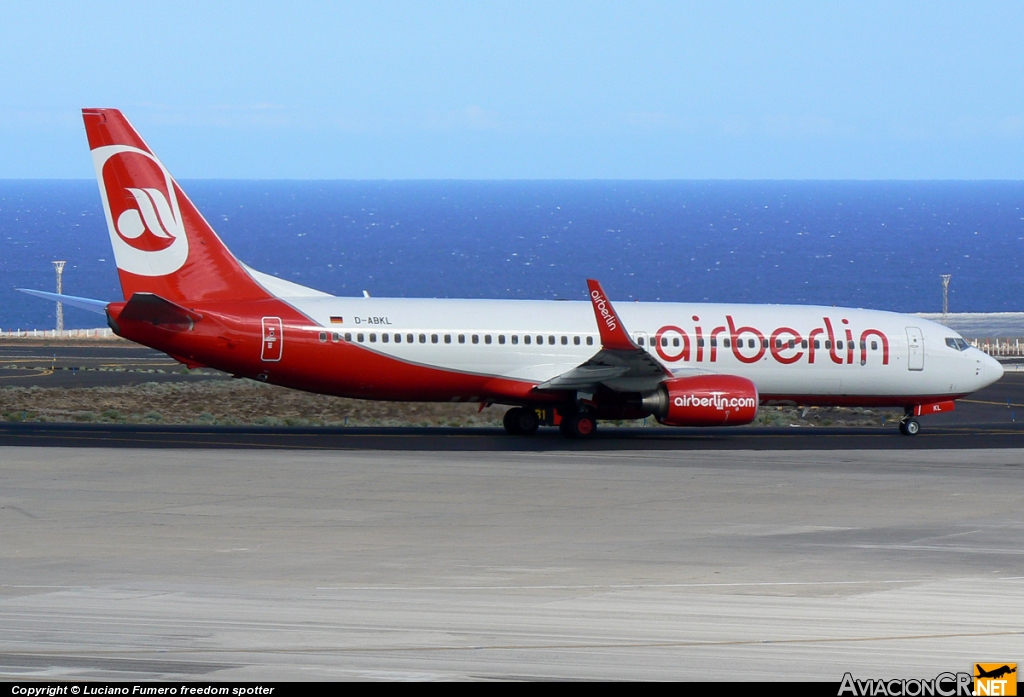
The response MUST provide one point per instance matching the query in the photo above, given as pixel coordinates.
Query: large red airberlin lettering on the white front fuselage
(786, 345)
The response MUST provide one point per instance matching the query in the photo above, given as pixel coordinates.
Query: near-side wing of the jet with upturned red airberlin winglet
(620, 366)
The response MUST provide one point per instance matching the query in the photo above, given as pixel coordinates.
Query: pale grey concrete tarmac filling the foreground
(708, 565)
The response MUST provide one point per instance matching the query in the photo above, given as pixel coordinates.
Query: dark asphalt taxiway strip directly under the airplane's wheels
(979, 438)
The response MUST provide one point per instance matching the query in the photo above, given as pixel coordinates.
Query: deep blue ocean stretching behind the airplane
(876, 245)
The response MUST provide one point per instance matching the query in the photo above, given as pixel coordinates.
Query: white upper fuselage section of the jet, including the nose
(859, 353)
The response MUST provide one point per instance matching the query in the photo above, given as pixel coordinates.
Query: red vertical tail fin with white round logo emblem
(162, 244)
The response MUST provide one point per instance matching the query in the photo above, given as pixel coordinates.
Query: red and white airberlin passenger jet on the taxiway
(560, 364)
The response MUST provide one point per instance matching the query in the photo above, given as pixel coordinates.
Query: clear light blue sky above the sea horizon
(774, 91)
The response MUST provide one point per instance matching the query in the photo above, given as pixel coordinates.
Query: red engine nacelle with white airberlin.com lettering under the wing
(704, 401)
